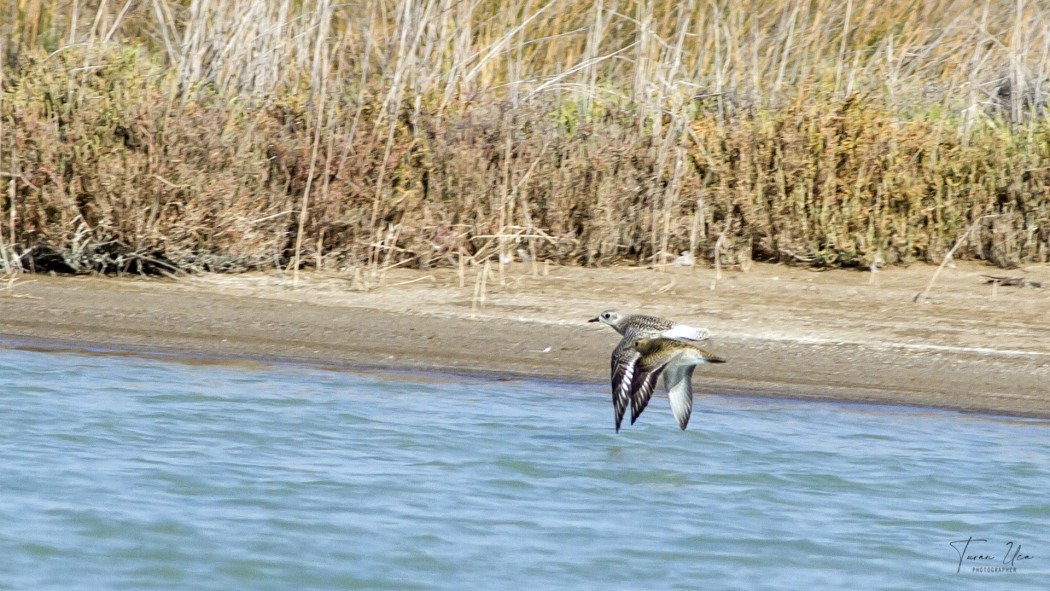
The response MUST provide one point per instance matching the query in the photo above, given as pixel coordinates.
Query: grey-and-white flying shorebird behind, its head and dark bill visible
(625, 357)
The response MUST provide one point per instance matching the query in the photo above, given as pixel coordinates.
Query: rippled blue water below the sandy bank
(119, 473)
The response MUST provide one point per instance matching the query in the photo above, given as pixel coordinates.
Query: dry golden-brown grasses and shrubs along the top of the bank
(160, 135)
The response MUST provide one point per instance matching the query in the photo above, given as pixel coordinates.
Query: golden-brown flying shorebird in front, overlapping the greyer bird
(676, 360)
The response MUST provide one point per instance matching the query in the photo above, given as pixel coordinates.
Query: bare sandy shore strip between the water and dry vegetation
(786, 332)
